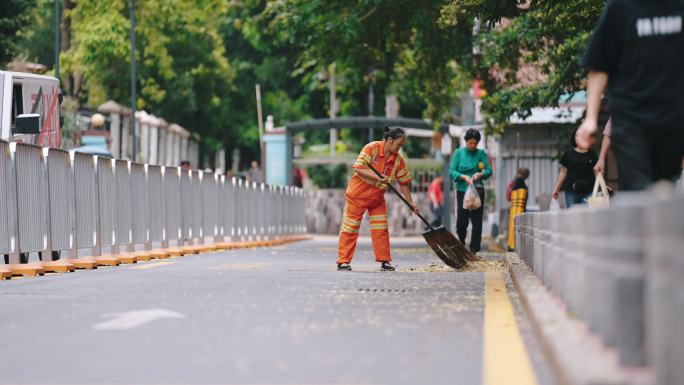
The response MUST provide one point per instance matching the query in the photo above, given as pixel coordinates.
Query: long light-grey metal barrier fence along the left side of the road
(54, 200)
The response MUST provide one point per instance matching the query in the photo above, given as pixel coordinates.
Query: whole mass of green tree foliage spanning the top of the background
(199, 60)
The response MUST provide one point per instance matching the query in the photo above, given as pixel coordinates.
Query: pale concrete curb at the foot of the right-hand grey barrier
(576, 357)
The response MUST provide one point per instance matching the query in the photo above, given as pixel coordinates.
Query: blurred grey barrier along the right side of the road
(620, 270)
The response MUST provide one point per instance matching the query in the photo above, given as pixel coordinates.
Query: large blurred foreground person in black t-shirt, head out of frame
(637, 53)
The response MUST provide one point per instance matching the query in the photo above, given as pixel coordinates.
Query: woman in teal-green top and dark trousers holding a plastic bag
(470, 165)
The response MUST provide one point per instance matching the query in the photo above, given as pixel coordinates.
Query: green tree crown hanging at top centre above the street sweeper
(401, 41)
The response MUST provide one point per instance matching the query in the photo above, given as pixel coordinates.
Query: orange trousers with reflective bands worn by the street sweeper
(351, 223)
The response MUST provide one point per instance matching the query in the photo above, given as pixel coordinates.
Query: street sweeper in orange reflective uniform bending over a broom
(366, 192)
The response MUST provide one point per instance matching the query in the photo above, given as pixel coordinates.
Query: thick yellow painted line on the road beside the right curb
(505, 359)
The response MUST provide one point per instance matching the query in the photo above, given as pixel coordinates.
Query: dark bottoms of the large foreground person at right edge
(646, 154)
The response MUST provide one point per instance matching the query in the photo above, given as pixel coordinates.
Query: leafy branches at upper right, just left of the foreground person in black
(545, 40)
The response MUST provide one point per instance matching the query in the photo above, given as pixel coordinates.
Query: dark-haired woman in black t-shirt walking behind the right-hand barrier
(576, 177)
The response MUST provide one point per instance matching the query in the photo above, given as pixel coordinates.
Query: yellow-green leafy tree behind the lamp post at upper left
(183, 72)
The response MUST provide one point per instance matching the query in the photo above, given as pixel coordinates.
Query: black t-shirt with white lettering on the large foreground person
(640, 44)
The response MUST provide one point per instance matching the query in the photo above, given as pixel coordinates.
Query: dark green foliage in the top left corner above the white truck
(14, 15)
